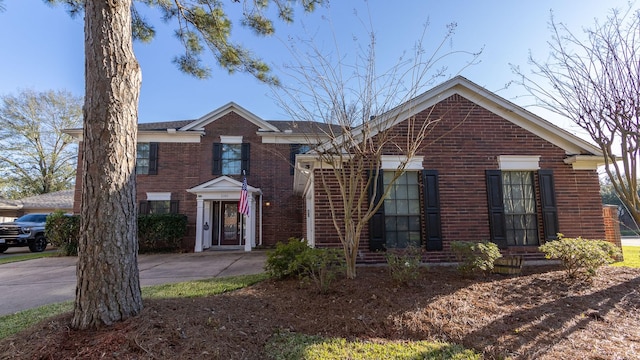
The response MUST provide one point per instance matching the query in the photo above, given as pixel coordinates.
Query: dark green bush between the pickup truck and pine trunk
(63, 232)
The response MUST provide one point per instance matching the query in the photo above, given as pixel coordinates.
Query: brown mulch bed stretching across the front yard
(537, 315)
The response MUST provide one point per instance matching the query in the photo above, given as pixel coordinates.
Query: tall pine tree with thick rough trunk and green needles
(108, 288)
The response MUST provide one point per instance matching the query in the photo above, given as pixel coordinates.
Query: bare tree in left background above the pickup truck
(37, 157)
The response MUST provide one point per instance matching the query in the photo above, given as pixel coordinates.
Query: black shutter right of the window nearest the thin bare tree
(432, 209)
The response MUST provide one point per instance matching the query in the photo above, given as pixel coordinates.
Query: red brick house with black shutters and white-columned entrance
(497, 172)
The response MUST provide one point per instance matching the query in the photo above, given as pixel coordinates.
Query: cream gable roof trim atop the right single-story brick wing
(459, 85)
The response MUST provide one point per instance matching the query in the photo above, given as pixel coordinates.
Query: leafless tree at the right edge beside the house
(595, 82)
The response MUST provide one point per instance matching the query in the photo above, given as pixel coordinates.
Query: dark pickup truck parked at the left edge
(27, 230)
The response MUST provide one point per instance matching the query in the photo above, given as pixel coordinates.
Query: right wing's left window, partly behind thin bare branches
(402, 210)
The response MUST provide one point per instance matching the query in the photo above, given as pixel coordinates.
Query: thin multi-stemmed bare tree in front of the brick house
(356, 110)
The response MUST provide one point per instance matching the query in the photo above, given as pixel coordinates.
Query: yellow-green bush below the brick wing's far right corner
(581, 256)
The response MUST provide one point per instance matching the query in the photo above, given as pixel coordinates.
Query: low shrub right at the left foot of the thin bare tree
(321, 266)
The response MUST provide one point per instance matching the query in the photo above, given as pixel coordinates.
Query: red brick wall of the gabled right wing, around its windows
(464, 144)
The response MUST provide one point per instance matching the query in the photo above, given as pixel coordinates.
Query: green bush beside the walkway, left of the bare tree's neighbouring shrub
(280, 261)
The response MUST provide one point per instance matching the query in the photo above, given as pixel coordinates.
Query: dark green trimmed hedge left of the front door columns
(161, 232)
